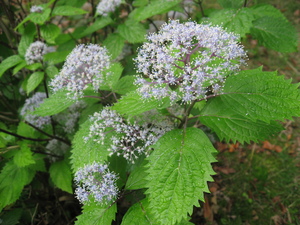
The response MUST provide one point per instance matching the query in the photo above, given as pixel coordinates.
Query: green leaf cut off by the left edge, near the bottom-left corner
(12, 181)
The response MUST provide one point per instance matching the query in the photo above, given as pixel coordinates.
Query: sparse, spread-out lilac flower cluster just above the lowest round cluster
(126, 139)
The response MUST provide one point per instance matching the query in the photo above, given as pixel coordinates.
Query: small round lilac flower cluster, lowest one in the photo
(97, 181)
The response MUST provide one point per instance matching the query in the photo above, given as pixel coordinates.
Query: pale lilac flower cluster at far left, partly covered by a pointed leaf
(30, 105)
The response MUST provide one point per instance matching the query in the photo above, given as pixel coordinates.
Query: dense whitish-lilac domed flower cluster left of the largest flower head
(84, 66)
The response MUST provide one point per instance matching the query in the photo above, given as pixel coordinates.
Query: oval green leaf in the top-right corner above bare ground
(275, 33)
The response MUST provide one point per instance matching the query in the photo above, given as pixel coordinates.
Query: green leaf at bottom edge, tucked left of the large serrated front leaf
(139, 214)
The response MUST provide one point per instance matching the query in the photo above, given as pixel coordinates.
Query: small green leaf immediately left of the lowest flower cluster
(60, 173)
